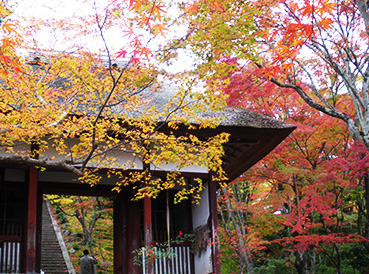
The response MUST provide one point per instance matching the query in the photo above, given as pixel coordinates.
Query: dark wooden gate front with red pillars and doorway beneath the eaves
(26, 223)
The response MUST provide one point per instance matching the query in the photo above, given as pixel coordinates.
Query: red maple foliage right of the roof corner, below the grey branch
(301, 195)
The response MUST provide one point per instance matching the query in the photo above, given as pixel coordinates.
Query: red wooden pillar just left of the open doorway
(31, 226)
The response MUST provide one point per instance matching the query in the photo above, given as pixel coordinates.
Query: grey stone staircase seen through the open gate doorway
(52, 259)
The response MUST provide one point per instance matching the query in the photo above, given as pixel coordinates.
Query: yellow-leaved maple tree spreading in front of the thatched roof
(86, 107)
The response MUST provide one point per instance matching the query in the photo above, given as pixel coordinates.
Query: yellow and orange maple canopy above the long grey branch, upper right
(316, 48)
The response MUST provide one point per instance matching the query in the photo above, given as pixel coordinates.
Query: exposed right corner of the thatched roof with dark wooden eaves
(252, 135)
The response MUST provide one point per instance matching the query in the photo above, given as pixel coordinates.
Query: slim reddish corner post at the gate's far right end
(215, 252)
